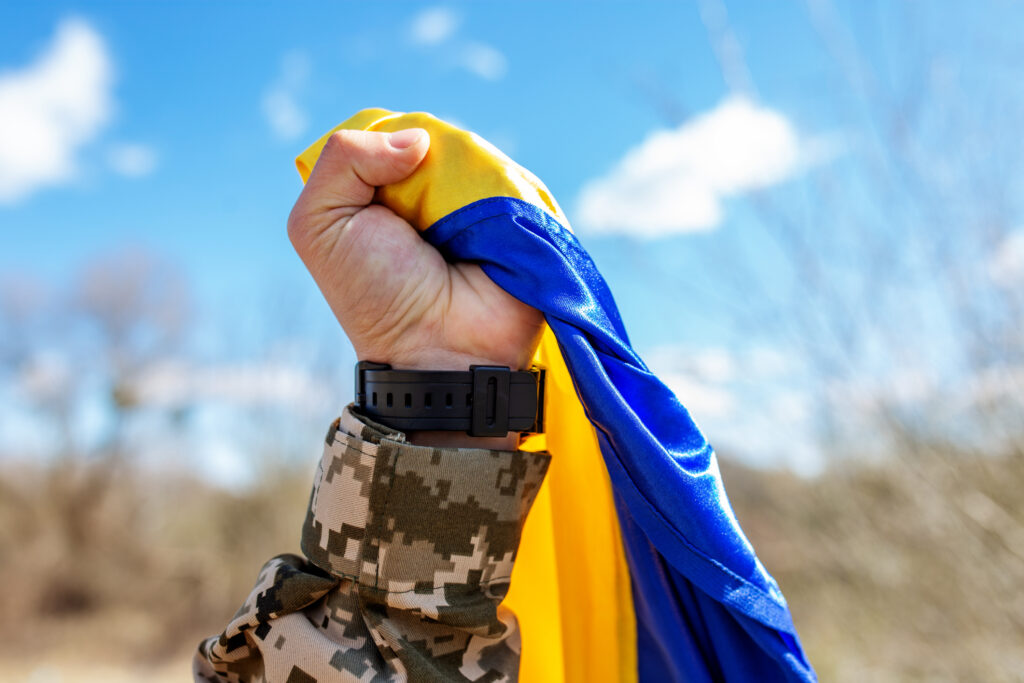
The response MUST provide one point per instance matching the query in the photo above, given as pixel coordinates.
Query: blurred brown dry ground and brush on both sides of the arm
(909, 571)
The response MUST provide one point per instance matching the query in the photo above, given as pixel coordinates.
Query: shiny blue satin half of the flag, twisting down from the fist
(707, 610)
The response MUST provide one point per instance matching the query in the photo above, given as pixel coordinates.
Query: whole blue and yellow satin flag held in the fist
(633, 566)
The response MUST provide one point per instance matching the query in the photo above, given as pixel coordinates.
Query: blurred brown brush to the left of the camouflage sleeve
(106, 565)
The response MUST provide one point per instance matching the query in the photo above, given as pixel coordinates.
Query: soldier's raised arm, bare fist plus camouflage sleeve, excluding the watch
(410, 538)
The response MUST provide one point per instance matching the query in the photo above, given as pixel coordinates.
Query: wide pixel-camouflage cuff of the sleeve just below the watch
(410, 524)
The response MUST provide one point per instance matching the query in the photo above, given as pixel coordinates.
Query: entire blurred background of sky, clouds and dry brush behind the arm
(810, 215)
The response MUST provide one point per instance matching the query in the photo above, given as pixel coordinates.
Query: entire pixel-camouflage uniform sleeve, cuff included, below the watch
(409, 552)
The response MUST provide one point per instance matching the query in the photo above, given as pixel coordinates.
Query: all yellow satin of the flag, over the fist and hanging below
(571, 586)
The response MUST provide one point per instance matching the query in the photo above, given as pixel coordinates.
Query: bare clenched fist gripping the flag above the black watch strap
(398, 300)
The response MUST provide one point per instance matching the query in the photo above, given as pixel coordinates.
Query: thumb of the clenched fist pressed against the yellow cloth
(355, 162)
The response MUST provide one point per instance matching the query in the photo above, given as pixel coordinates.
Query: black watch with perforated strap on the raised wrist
(486, 401)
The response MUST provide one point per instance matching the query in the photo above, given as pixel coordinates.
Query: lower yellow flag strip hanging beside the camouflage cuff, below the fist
(583, 543)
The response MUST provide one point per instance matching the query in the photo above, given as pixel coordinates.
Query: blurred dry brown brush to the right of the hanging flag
(909, 571)
